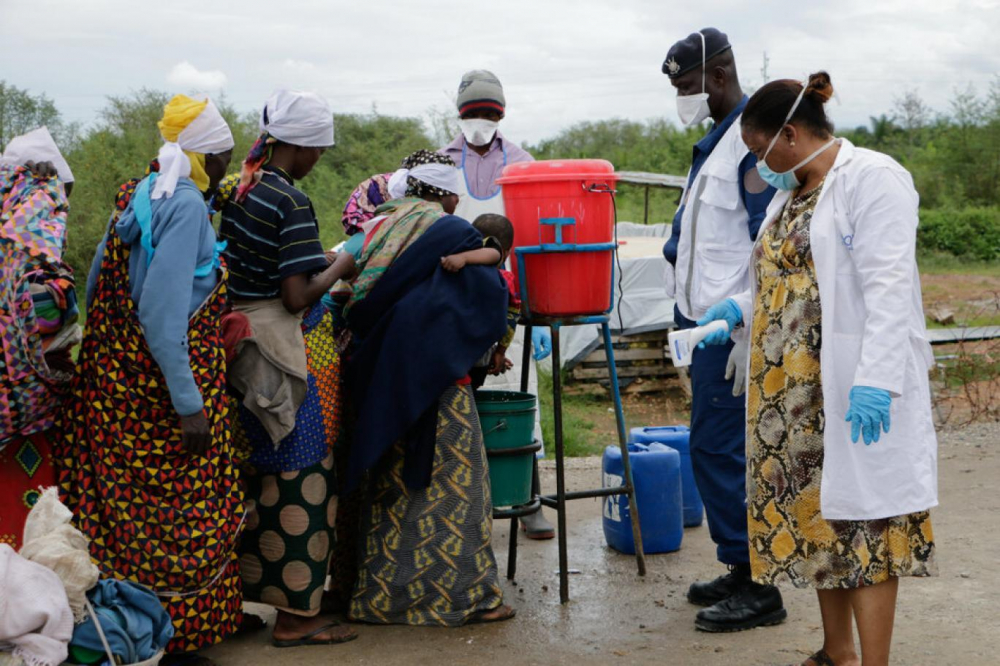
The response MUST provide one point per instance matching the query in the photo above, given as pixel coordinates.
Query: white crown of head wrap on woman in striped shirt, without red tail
(298, 118)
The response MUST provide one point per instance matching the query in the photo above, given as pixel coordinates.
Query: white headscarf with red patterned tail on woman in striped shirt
(290, 116)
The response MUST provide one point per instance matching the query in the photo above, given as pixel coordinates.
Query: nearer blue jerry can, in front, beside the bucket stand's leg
(656, 470)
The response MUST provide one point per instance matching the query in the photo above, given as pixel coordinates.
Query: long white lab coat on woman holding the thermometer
(863, 238)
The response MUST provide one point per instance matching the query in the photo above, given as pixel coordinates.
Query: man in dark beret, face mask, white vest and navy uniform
(721, 209)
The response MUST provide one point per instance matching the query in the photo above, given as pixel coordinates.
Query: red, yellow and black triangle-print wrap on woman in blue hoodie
(154, 513)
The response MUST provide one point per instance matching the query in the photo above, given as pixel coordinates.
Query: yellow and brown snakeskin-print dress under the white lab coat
(789, 538)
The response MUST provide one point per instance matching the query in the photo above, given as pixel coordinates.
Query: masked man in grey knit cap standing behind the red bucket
(481, 153)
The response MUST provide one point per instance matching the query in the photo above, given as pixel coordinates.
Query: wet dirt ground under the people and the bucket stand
(616, 617)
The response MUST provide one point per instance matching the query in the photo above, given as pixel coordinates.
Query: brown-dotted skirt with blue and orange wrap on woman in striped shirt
(291, 489)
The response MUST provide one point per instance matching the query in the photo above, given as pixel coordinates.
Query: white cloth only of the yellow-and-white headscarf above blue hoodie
(207, 133)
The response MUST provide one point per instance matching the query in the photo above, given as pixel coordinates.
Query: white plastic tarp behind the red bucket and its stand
(639, 275)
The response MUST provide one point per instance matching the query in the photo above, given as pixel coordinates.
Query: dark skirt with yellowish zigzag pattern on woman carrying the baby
(427, 557)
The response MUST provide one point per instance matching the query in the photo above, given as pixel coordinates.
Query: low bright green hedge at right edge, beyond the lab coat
(971, 232)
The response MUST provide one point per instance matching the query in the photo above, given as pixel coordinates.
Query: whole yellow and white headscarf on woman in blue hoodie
(191, 128)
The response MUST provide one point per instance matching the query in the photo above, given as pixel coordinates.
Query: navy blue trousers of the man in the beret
(718, 449)
